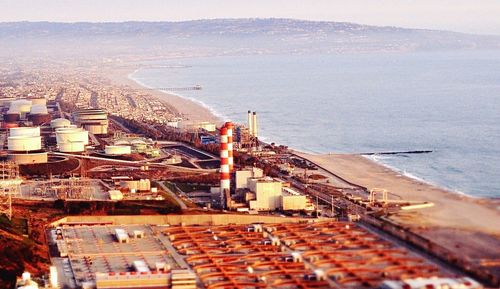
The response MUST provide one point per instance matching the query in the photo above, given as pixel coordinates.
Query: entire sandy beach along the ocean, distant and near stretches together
(456, 221)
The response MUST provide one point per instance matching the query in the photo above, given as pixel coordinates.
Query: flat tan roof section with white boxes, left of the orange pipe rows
(111, 256)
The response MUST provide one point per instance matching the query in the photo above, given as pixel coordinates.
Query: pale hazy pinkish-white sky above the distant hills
(477, 16)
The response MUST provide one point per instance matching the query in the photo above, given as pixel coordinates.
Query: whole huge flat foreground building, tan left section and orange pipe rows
(187, 252)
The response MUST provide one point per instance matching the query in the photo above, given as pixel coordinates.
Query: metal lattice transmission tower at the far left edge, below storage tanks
(9, 185)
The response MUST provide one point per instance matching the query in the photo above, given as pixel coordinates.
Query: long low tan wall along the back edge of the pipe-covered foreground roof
(218, 219)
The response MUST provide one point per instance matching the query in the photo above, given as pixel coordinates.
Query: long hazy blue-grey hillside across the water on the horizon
(226, 36)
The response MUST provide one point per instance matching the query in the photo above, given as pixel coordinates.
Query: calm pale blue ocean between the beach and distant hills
(446, 102)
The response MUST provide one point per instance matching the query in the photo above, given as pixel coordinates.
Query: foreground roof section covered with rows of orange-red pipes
(315, 255)
